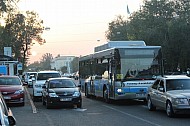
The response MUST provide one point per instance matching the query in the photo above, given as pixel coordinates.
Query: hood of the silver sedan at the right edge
(180, 93)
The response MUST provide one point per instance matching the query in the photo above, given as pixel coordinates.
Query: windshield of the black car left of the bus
(61, 83)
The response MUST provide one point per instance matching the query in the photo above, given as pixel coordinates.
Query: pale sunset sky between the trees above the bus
(76, 26)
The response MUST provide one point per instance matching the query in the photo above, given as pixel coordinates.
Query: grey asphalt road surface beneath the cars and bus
(95, 112)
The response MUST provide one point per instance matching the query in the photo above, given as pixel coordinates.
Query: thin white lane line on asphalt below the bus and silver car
(144, 120)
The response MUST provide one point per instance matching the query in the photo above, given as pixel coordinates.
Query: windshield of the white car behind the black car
(45, 76)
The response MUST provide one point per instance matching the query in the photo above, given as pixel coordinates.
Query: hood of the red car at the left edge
(10, 88)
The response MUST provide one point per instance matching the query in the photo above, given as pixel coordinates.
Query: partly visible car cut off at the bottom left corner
(6, 116)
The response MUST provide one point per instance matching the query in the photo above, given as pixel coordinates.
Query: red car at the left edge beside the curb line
(12, 89)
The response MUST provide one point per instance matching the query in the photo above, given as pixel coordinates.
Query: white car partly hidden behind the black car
(41, 77)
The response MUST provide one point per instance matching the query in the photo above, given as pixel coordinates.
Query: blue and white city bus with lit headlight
(120, 70)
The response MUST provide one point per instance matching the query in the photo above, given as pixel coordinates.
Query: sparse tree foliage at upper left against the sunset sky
(20, 30)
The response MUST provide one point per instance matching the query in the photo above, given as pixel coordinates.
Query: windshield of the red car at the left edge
(9, 81)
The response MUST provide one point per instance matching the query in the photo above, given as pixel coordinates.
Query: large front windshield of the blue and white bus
(138, 64)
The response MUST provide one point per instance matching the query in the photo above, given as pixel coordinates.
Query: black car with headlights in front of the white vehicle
(61, 91)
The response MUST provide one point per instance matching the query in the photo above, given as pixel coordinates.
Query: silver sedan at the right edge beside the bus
(171, 93)
